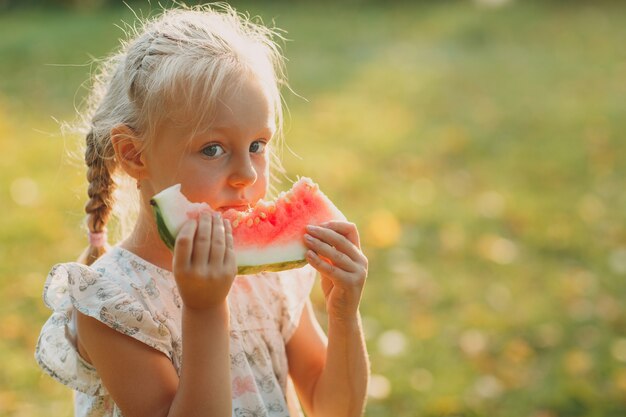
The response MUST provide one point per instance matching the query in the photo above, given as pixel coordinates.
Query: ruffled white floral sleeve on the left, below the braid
(74, 286)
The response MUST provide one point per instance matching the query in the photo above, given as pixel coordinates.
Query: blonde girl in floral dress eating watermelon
(194, 99)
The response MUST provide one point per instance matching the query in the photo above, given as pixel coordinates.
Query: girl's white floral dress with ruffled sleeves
(142, 301)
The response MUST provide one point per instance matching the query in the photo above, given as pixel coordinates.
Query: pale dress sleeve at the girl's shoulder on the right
(296, 286)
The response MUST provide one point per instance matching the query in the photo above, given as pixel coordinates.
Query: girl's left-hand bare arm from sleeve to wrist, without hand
(143, 382)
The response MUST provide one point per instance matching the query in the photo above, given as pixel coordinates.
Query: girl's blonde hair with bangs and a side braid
(159, 74)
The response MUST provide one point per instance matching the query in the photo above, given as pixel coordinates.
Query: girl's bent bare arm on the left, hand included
(143, 381)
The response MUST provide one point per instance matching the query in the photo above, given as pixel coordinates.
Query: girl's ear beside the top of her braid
(128, 151)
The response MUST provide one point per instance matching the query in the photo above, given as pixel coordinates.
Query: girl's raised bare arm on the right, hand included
(331, 374)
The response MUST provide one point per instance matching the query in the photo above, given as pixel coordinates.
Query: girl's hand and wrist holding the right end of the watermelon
(335, 251)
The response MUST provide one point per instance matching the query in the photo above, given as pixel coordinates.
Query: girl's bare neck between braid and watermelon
(144, 241)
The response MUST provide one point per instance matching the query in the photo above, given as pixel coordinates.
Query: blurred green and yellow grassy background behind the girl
(479, 146)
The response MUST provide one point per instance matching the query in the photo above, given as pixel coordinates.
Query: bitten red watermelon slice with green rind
(267, 237)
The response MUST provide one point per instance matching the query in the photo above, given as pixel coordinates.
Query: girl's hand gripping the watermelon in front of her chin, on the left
(204, 261)
